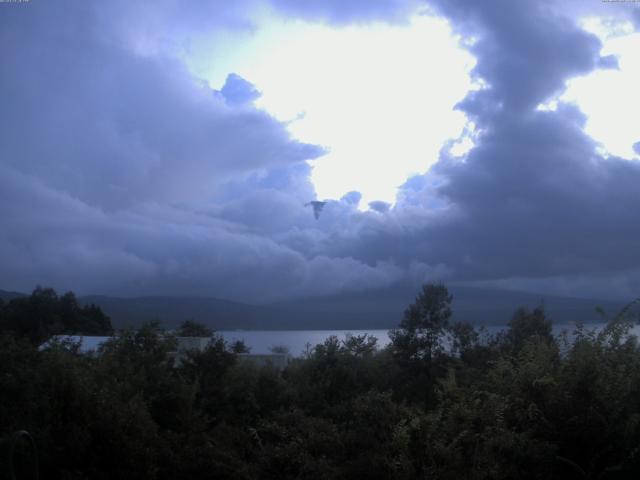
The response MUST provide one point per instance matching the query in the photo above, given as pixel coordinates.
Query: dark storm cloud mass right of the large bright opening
(533, 199)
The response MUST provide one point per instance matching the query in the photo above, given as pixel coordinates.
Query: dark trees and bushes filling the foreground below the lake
(442, 401)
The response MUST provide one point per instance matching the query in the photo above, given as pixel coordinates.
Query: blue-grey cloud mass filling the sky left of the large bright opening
(122, 173)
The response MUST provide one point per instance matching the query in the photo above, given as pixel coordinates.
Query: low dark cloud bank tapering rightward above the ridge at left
(54, 239)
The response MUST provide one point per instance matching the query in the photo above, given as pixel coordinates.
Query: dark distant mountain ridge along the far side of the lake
(380, 309)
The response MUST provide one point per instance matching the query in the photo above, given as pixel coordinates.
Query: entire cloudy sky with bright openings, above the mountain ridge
(165, 148)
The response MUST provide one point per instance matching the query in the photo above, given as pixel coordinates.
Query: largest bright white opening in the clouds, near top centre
(379, 97)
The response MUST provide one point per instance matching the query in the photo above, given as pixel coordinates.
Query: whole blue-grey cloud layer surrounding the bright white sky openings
(121, 173)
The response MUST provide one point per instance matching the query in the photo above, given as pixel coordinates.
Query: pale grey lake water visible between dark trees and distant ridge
(261, 341)
